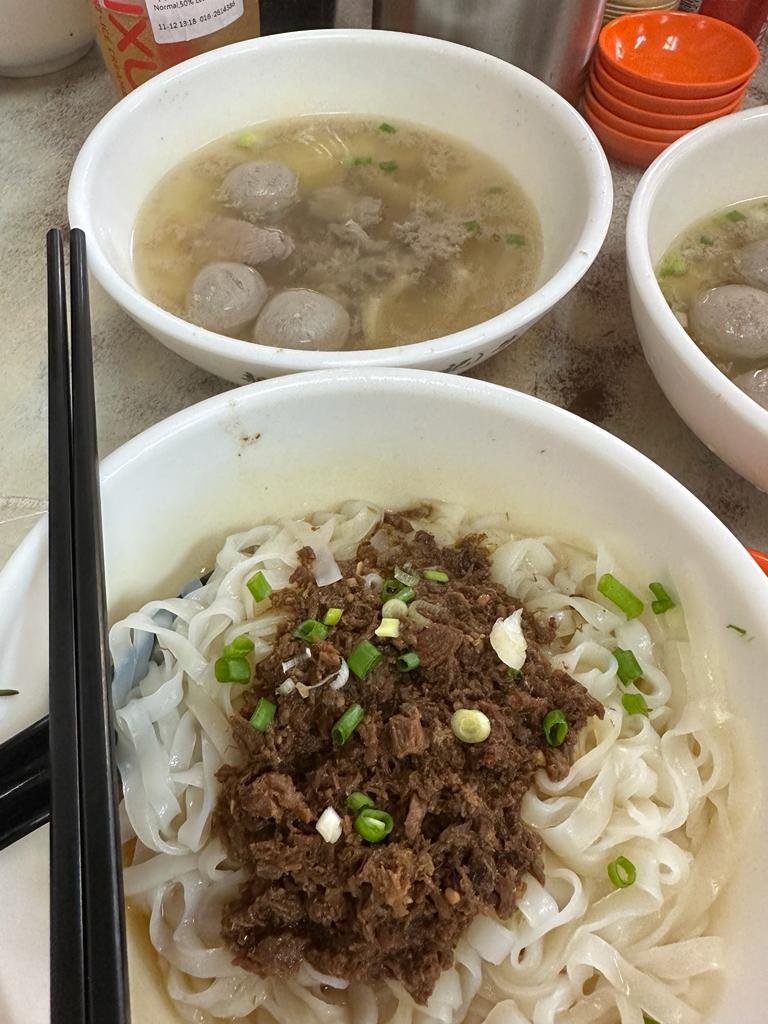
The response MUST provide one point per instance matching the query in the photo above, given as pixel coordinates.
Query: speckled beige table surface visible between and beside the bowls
(585, 356)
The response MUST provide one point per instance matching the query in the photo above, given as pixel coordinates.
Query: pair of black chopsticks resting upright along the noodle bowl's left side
(90, 978)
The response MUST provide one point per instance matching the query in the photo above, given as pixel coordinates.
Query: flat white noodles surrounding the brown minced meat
(656, 790)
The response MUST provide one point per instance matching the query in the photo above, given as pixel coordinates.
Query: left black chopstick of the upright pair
(68, 996)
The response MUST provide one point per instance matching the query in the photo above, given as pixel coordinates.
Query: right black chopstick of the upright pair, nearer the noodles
(105, 913)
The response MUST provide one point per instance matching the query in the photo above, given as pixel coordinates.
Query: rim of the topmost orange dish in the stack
(674, 88)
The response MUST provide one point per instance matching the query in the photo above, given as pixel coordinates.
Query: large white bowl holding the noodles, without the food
(170, 495)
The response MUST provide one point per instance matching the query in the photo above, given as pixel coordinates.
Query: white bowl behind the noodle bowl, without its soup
(477, 98)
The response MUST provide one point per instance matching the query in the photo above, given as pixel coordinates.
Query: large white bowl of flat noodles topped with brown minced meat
(552, 815)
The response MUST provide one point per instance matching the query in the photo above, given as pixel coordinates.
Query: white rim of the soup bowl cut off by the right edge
(643, 275)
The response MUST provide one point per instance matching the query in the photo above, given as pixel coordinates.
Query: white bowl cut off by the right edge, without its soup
(719, 164)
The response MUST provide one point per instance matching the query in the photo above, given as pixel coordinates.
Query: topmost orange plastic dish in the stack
(677, 55)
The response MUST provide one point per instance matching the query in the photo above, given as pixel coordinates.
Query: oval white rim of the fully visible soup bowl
(506, 324)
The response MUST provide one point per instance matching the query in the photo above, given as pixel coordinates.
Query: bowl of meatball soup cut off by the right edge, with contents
(698, 262)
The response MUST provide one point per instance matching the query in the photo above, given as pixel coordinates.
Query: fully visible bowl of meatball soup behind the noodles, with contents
(342, 198)
